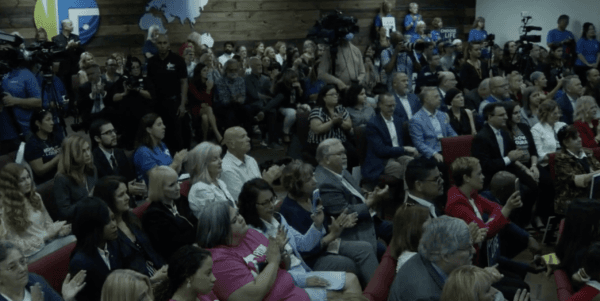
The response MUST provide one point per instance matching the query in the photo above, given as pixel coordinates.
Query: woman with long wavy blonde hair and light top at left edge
(25, 217)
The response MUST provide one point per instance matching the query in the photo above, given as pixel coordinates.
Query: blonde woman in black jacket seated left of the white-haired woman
(168, 221)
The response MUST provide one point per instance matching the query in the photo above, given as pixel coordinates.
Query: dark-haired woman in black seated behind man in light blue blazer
(461, 119)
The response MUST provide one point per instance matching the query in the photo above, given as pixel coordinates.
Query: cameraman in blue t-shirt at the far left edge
(21, 95)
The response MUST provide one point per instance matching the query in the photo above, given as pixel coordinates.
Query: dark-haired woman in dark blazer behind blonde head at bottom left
(97, 251)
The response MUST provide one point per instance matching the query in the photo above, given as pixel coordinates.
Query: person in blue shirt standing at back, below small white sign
(395, 59)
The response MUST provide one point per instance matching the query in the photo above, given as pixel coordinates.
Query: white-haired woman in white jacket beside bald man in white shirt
(204, 164)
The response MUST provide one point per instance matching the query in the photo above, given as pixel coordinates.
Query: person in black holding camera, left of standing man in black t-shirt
(133, 97)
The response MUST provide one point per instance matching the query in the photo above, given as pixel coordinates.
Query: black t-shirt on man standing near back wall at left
(166, 75)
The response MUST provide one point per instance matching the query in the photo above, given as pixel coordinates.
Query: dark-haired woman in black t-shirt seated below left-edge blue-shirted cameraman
(42, 148)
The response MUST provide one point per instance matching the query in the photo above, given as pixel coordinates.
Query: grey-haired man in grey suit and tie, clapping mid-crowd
(340, 191)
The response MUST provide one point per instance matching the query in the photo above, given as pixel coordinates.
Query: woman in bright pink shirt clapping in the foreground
(248, 266)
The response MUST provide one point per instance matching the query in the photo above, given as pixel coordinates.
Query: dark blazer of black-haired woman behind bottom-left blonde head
(96, 270)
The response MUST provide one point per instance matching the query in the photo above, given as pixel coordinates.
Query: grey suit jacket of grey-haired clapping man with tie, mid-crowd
(336, 198)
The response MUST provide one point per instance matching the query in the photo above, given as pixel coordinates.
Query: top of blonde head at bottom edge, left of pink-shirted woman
(127, 285)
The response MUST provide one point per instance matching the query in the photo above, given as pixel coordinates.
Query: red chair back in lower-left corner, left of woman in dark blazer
(54, 267)
